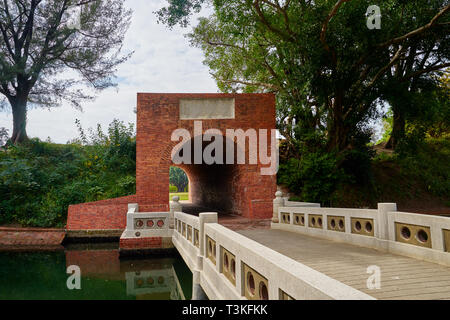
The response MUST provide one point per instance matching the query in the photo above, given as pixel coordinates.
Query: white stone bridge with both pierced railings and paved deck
(309, 252)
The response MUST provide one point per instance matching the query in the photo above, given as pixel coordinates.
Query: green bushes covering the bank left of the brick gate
(39, 180)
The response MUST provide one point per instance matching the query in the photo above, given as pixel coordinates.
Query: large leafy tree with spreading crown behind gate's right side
(329, 70)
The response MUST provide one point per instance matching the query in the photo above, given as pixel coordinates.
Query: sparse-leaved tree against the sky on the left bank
(44, 60)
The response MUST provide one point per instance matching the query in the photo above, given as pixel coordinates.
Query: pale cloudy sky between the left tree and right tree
(163, 62)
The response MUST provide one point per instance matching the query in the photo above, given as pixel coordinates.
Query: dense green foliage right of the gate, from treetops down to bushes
(331, 74)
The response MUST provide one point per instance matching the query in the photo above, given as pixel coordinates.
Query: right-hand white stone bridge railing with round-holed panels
(420, 236)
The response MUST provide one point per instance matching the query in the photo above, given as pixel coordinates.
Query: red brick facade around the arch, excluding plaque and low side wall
(158, 117)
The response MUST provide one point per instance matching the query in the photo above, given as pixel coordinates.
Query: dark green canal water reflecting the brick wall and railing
(42, 275)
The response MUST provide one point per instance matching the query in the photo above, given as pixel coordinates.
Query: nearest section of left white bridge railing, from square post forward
(249, 270)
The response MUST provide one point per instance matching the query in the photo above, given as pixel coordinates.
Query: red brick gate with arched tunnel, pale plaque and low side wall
(229, 188)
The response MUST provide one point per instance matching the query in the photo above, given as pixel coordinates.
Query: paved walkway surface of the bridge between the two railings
(401, 277)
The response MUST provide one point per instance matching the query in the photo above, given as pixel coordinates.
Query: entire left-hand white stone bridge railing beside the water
(231, 266)
